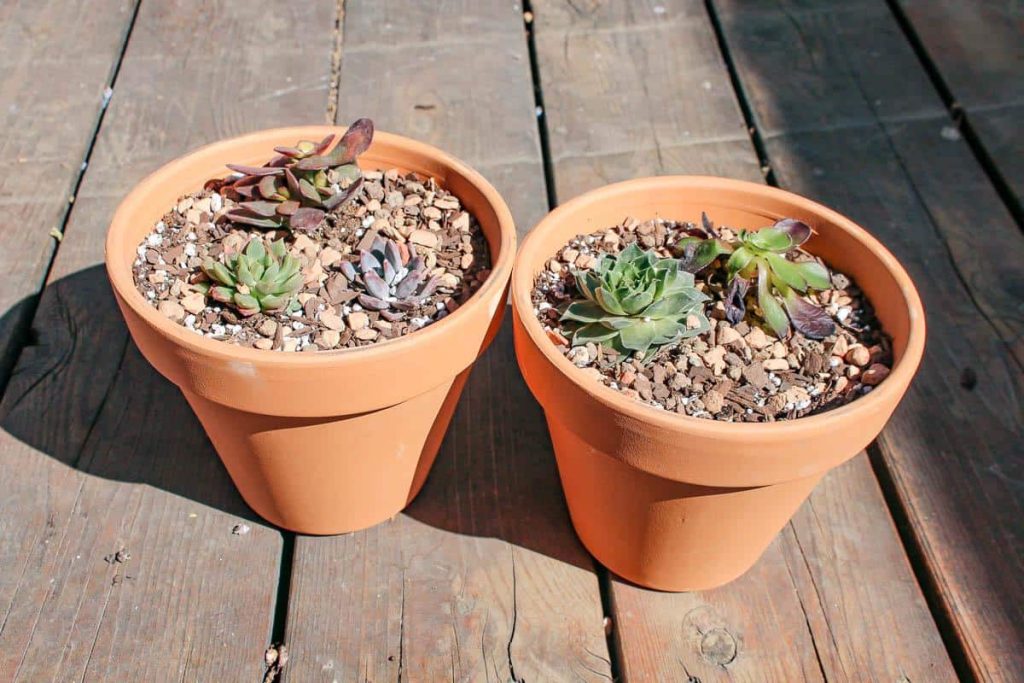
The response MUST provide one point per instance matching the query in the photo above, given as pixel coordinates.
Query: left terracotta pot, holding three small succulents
(332, 442)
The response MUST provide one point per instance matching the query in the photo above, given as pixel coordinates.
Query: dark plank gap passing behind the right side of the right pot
(926, 580)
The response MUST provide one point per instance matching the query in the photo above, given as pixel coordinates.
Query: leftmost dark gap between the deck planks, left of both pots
(21, 333)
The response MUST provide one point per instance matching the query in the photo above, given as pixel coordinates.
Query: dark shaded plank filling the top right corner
(978, 51)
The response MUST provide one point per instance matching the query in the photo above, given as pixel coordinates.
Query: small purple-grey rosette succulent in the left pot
(394, 278)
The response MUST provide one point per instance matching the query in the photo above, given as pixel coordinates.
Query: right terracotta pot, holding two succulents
(678, 503)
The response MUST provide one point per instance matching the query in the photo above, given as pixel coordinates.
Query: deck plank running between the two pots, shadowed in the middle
(482, 579)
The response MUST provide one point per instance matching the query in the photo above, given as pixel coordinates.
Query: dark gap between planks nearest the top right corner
(959, 115)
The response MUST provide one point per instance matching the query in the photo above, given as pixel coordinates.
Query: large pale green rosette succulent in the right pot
(636, 303)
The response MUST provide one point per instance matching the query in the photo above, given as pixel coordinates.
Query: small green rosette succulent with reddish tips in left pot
(262, 278)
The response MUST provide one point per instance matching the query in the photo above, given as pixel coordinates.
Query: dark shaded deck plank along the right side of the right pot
(953, 450)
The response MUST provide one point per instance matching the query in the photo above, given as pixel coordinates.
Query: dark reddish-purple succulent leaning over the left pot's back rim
(295, 190)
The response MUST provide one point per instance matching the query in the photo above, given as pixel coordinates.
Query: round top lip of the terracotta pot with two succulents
(887, 394)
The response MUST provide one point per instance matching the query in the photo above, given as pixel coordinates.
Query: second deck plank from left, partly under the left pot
(99, 452)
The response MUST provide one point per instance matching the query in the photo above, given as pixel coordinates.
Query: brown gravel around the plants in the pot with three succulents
(406, 208)
